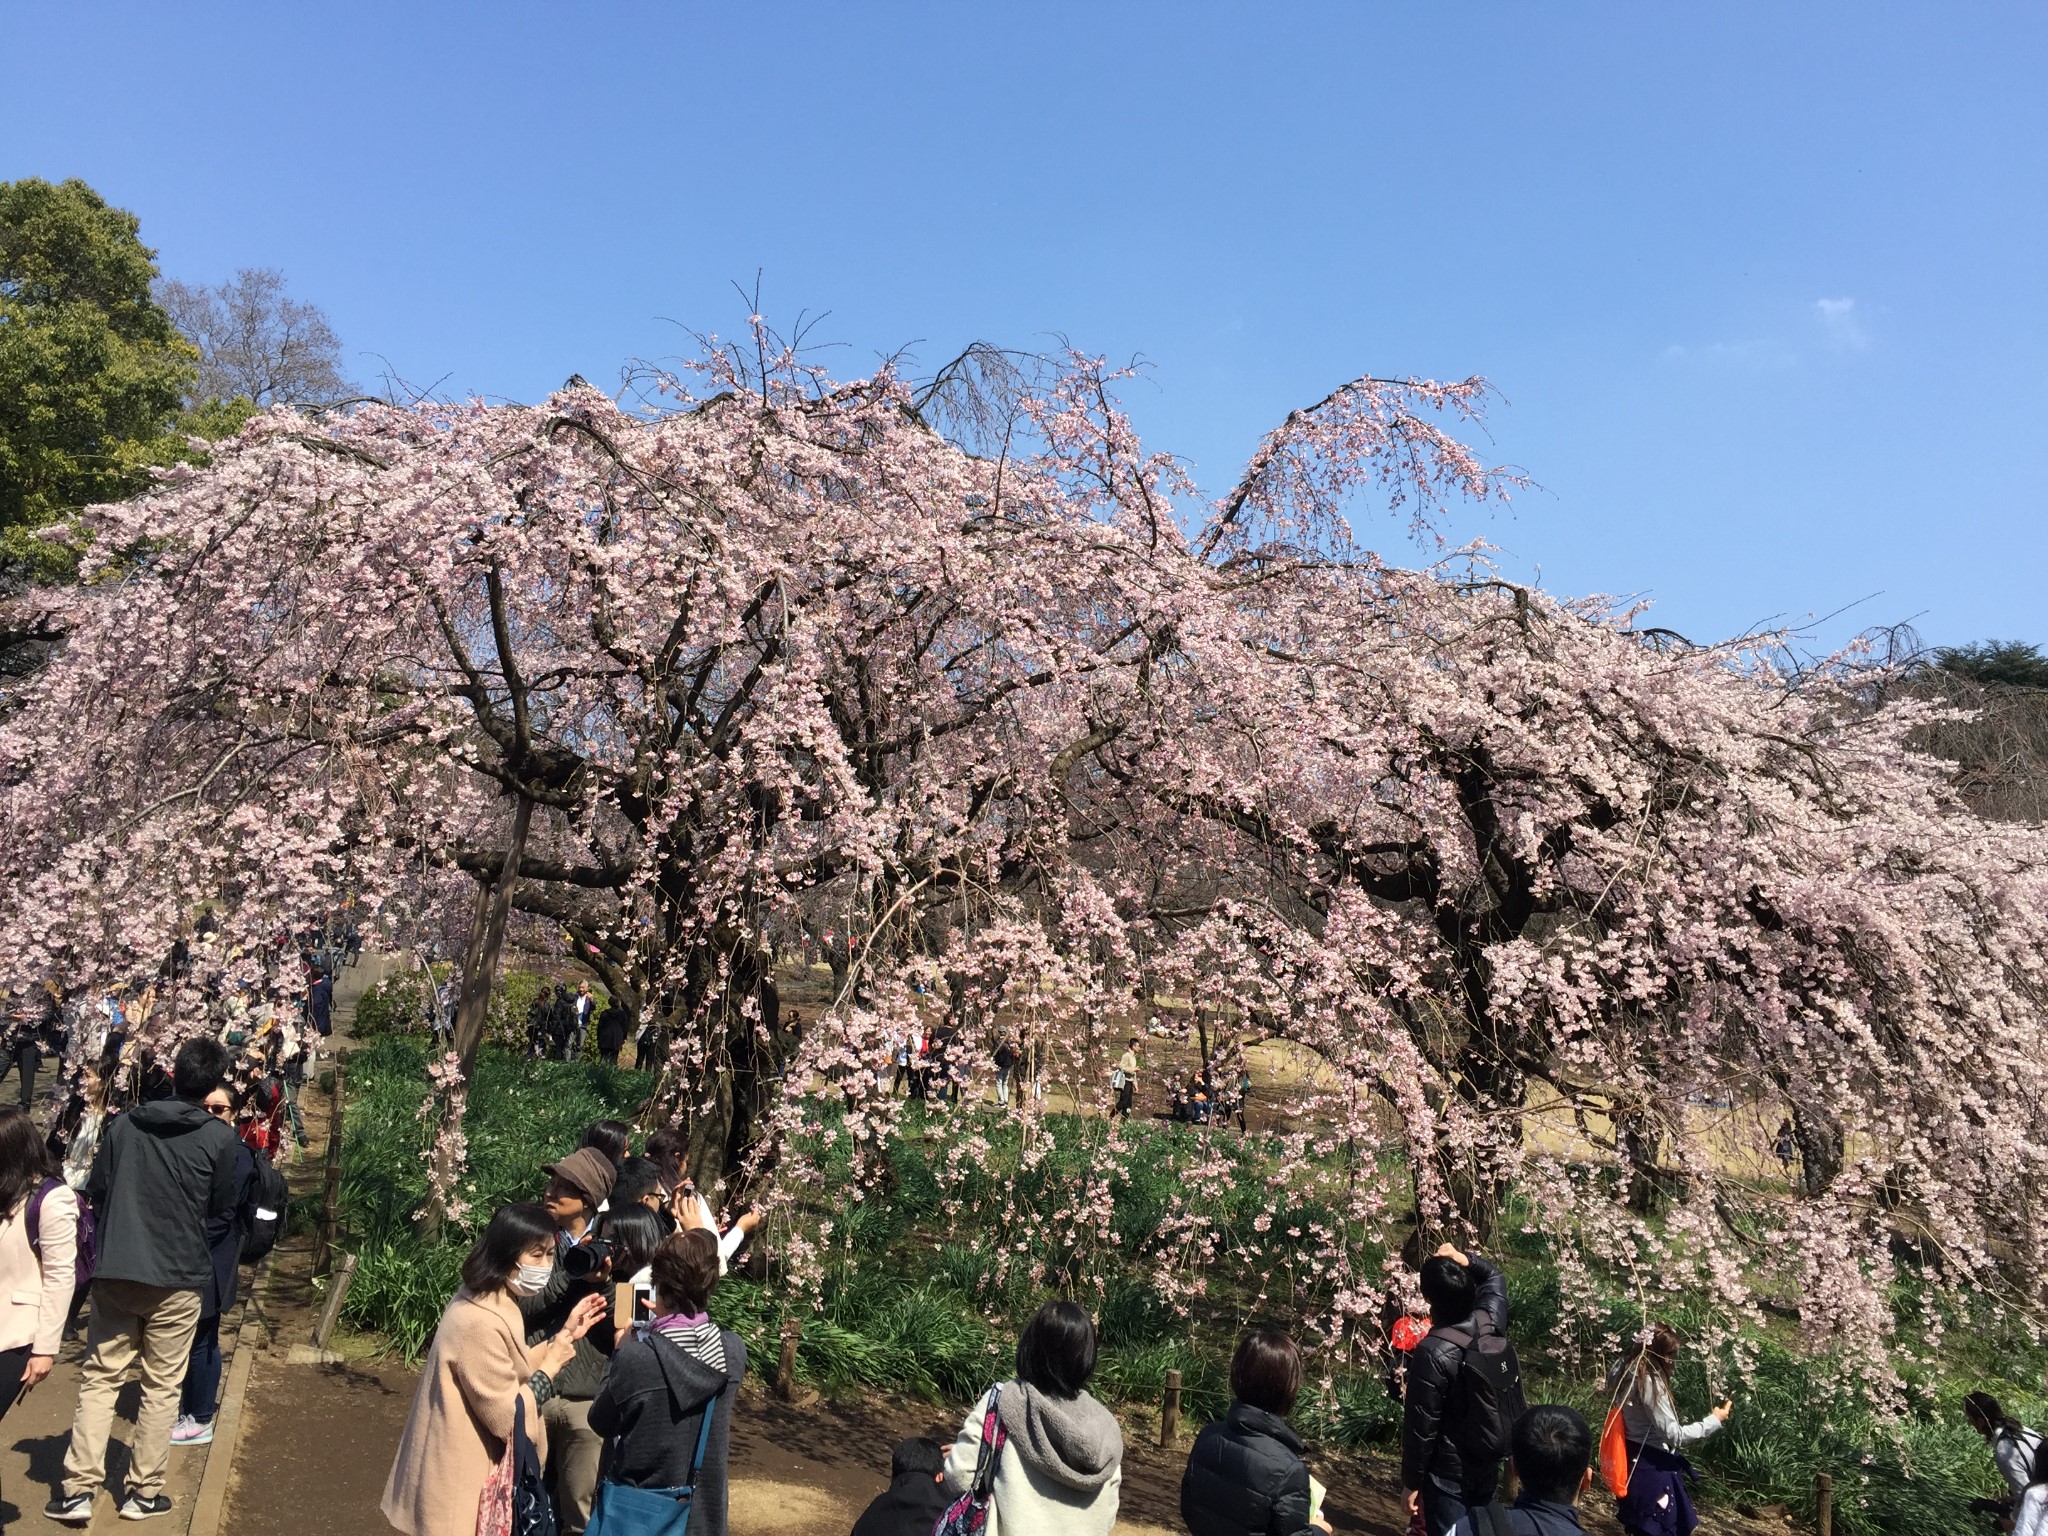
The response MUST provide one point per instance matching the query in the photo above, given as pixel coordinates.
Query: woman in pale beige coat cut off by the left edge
(36, 1279)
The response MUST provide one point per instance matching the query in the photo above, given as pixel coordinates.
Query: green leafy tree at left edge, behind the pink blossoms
(93, 374)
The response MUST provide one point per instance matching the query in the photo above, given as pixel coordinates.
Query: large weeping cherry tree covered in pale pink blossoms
(976, 681)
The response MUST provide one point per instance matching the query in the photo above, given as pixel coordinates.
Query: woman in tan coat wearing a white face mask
(476, 1375)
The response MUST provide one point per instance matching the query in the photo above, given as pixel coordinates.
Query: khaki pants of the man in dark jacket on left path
(130, 1320)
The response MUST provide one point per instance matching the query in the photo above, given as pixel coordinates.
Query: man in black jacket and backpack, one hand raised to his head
(1465, 1293)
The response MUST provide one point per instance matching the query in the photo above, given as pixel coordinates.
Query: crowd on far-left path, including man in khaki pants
(148, 1183)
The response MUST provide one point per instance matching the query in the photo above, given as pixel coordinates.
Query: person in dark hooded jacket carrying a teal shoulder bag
(667, 1375)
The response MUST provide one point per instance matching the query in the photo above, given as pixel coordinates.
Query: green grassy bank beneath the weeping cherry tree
(914, 1304)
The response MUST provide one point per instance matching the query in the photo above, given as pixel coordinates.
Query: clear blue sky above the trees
(1764, 288)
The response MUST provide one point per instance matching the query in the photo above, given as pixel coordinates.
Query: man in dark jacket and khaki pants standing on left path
(163, 1172)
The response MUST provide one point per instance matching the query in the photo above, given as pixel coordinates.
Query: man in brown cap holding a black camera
(577, 1187)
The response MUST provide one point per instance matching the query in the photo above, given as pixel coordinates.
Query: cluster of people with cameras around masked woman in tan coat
(581, 1336)
